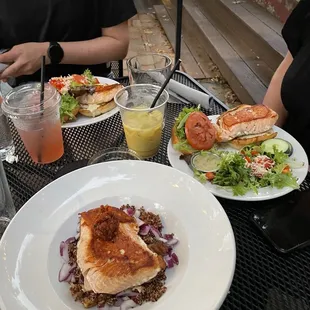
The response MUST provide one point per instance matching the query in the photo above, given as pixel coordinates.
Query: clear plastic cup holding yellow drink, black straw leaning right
(143, 126)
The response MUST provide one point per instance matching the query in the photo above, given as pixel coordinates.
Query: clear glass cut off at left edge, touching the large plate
(7, 209)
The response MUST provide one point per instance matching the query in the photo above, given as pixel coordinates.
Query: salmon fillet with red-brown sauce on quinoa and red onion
(118, 258)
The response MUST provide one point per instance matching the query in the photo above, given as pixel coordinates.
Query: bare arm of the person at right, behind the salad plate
(273, 96)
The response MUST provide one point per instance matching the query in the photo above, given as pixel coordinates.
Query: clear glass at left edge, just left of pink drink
(7, 147)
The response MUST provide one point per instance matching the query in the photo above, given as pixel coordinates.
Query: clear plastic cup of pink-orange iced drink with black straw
(38, 123)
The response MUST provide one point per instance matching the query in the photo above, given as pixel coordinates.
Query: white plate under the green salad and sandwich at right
(263, 193)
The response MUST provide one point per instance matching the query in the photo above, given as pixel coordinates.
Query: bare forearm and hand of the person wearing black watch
(25, 58)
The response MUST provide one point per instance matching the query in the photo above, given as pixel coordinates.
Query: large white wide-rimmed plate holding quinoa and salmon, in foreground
(29, 249)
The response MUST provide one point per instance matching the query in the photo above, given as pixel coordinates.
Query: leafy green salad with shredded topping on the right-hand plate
(250, 169)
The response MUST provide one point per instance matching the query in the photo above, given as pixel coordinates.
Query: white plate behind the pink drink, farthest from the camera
(82, 120)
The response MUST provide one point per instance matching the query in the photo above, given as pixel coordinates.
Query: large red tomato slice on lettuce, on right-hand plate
(199, 131)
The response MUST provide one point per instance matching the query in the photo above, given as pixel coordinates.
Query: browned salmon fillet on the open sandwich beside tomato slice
(244, 120)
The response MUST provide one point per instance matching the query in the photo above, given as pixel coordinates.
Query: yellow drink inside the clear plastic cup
(143, 131)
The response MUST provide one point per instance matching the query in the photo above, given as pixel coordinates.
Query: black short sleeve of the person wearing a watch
(115, 12)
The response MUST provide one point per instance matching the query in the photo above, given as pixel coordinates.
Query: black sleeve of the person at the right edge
(296, 26)
